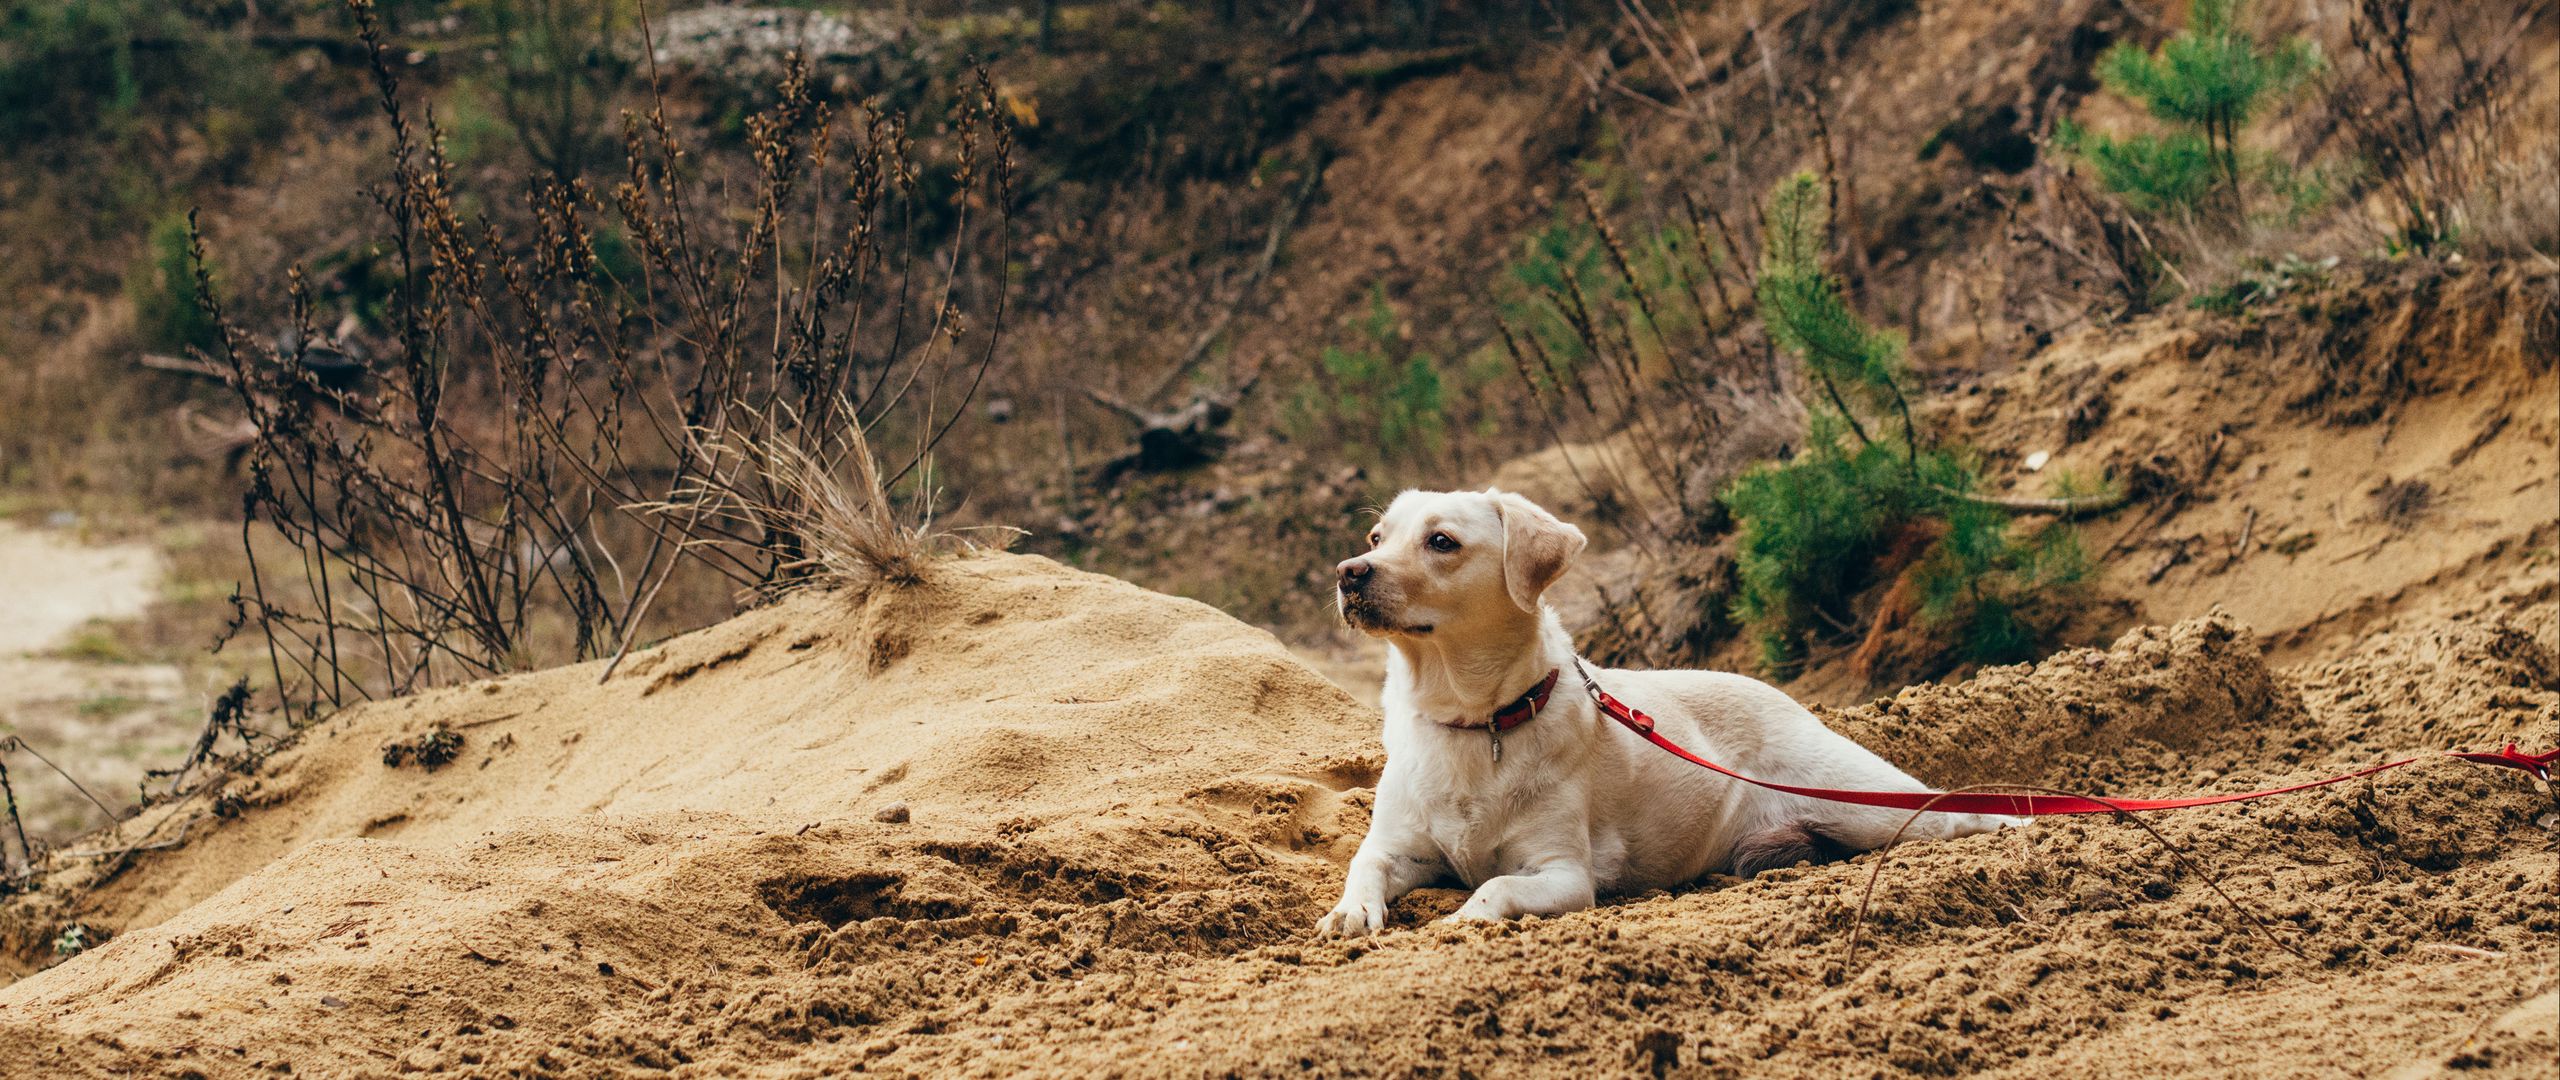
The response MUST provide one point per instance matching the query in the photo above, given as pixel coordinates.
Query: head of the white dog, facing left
(1455, 559)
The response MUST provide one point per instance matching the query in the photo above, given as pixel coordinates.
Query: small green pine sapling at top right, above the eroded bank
(2203, 86)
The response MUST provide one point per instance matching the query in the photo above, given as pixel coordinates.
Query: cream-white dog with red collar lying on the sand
(1504, 774)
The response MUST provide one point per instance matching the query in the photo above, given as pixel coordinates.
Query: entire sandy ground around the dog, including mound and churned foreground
(1128, 810)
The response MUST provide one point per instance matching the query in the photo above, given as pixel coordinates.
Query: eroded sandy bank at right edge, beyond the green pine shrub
(2316, 462)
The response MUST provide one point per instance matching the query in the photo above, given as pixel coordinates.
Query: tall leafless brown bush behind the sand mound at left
(582, 388)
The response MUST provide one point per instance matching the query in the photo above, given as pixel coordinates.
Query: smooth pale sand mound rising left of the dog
(1010, 690)
